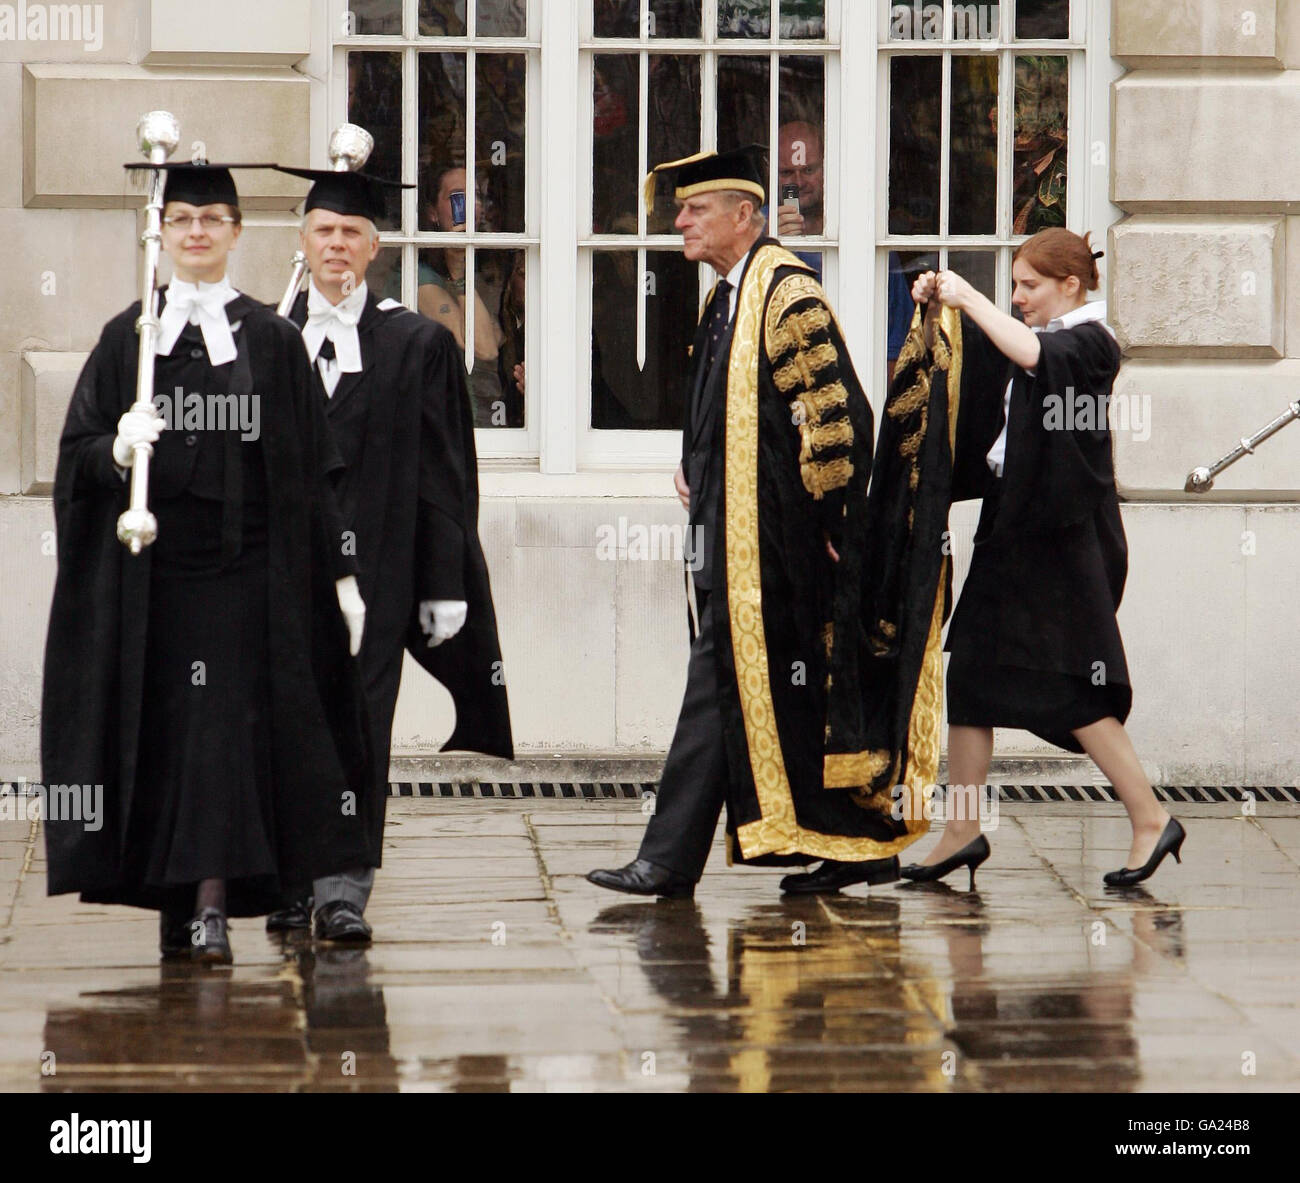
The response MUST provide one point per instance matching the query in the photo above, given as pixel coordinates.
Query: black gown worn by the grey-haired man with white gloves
(410, 492)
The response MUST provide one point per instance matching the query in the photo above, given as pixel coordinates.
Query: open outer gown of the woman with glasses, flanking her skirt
(99, 625)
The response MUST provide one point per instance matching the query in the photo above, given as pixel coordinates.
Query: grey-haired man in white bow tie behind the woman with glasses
(395, 393)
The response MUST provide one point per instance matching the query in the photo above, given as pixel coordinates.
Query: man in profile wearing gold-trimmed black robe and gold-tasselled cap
(777, 454)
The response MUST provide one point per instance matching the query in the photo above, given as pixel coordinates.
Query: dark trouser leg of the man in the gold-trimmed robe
(694, 788)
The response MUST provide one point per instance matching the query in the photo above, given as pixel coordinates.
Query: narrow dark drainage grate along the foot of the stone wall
(609, 791)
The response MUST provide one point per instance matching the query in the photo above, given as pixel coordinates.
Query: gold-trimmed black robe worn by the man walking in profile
(779, 456)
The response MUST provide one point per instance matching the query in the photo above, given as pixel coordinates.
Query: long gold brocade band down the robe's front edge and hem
(778, 831)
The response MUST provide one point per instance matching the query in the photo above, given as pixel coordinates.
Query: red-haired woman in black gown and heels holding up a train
(1034, 642)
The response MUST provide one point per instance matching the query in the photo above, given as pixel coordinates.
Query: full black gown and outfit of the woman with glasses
(249, 561)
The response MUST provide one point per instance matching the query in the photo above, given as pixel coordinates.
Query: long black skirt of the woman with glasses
(203, 803)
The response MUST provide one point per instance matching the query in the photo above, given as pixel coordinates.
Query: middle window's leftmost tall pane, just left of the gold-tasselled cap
(616, 149)
